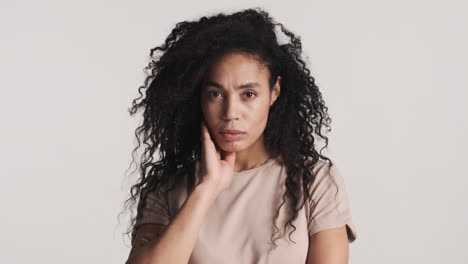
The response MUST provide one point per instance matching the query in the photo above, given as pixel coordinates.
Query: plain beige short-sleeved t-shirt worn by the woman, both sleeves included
(239, 225)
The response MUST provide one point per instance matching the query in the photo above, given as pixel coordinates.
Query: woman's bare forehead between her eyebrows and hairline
(237, 68)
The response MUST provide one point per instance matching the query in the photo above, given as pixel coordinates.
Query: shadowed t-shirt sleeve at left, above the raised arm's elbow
(156, 210)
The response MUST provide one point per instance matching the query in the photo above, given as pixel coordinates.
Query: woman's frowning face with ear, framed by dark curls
(235, 95)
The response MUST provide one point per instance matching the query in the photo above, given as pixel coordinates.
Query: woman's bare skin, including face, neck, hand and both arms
(233, 108)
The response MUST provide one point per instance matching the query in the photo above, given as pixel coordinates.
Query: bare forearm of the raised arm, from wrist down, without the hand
(177, 242)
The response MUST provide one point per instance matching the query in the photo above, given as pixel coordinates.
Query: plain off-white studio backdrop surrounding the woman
(393, 73)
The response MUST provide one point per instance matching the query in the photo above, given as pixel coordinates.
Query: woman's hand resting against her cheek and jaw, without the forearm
(214, 170)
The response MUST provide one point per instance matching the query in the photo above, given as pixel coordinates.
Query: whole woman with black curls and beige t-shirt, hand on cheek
(233, 114)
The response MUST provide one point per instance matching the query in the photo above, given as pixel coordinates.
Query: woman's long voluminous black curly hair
(172, 111)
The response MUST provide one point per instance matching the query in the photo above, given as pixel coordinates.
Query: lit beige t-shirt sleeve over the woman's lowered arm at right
(330, 207)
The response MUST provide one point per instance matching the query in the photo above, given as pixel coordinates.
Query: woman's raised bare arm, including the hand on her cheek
(177, 242)
